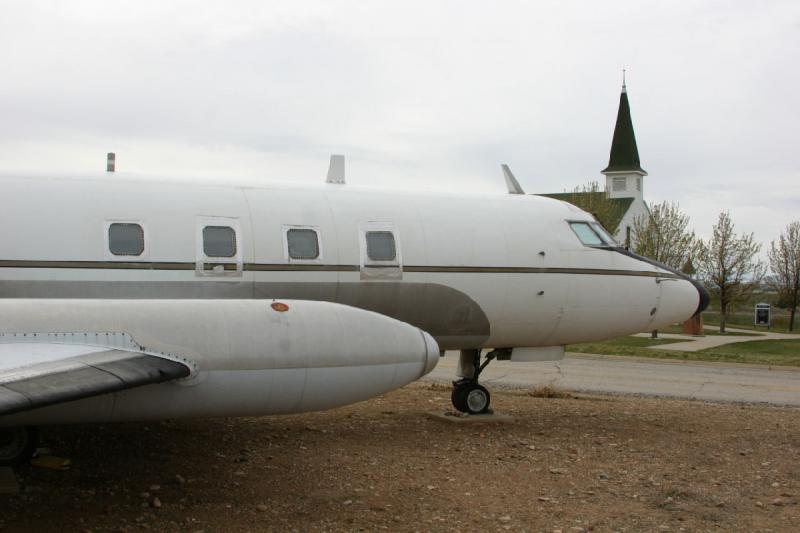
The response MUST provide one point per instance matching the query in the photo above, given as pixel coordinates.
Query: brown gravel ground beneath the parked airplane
(585, 463)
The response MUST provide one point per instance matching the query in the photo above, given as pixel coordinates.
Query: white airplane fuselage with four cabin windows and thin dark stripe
(472, 270)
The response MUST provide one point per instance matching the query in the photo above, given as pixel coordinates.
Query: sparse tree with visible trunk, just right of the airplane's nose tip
(729, 265)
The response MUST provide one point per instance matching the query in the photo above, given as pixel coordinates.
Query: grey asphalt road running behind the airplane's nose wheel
(628, 375)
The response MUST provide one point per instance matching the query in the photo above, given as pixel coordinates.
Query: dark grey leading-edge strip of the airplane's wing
(73, 378)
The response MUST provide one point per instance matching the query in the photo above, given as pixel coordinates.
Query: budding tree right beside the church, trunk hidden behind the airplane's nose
(664, 236)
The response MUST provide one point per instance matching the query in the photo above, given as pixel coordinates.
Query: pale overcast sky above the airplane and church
(422, 95)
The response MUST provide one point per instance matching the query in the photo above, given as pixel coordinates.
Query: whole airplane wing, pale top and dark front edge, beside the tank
(37, 374)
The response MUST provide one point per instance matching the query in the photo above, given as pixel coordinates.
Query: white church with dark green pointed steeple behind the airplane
(624, 177)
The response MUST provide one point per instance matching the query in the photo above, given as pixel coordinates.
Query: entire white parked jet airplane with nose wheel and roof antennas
(123, 299)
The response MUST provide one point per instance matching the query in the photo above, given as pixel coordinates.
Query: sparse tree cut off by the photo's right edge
(784, 261)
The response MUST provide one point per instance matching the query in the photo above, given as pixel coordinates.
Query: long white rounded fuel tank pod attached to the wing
(248, 357)
